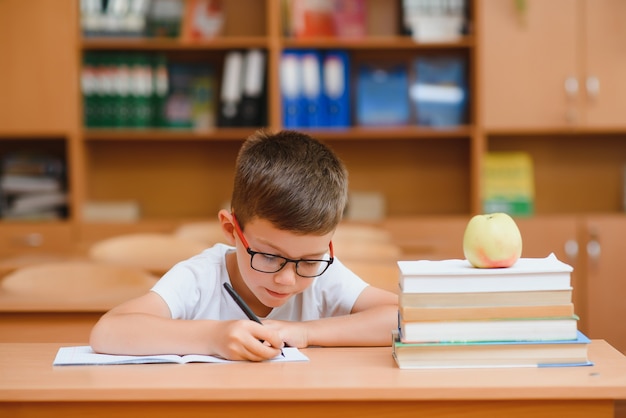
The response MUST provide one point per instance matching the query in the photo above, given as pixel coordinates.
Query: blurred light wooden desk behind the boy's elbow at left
(61, 301)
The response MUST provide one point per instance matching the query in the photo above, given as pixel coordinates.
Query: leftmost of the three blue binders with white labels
(291, 90)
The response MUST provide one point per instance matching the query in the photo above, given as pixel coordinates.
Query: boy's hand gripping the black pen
(247, 340)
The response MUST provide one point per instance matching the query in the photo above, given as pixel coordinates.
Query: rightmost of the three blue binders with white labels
(336, 76)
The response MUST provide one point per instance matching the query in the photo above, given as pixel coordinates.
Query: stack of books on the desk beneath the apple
(455, 315)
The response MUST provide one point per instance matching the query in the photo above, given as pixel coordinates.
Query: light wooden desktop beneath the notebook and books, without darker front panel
(27, 375)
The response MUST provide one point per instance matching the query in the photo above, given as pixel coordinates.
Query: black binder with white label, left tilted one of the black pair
(231, 91)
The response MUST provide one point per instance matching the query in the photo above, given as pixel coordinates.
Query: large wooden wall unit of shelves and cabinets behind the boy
(518, 101)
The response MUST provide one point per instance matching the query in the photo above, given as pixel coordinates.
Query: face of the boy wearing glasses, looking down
(274, 289)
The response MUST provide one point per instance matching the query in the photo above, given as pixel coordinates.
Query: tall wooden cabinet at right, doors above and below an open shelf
(550, 84)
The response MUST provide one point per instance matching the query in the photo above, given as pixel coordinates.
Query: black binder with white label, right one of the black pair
(252, 109)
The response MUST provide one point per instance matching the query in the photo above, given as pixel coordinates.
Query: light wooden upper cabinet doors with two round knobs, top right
(556, 64)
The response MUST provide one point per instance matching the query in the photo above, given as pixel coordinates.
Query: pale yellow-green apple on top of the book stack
(492, 241)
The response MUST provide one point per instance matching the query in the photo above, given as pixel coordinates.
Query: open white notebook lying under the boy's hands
(84, 355)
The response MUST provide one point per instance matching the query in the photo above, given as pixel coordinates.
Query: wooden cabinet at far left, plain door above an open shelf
(39, 106)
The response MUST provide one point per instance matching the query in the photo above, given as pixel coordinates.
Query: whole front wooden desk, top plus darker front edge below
(336, 382)
